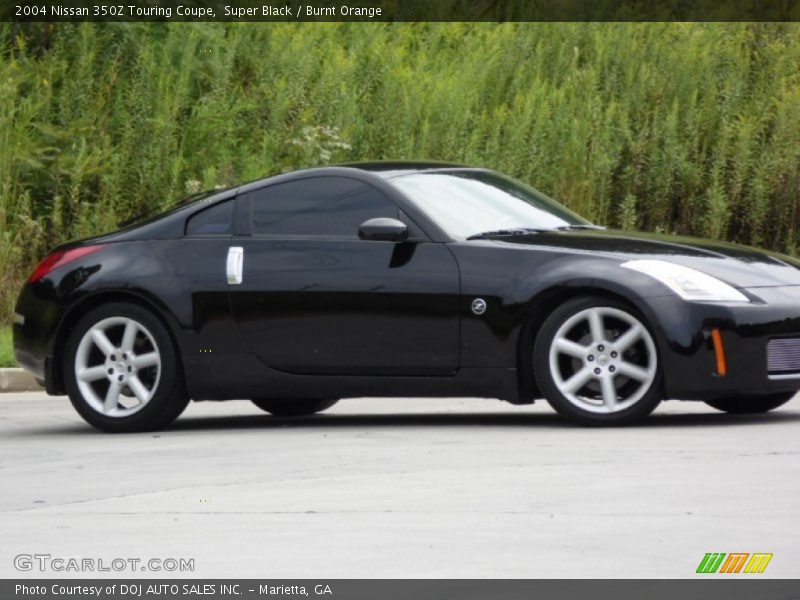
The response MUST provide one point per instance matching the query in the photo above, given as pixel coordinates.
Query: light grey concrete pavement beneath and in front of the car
(402, 488)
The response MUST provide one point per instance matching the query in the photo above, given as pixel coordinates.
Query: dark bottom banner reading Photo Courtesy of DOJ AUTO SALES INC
(390, 589)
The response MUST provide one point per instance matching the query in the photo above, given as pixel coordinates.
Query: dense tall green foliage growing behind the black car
(690, 128)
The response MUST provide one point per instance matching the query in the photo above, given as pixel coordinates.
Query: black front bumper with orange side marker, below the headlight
(687, 350)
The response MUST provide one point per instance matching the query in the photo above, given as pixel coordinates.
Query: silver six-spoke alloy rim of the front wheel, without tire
(598, 367)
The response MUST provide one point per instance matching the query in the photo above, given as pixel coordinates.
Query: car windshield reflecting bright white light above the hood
(467, 203)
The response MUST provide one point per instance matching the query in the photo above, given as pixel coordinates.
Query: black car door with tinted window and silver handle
(314, 298)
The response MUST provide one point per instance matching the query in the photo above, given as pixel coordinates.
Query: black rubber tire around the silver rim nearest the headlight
(649, 394)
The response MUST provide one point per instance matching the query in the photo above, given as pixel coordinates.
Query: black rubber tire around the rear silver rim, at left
(169, 397)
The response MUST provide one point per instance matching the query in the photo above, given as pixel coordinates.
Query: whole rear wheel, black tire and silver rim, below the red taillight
(122, 371)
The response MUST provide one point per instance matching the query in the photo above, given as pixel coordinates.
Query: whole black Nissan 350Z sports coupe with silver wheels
(404, 279)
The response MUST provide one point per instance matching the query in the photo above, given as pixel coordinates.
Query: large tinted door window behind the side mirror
(333, 206)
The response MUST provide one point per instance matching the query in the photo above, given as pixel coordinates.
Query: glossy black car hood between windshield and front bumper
(740, 266)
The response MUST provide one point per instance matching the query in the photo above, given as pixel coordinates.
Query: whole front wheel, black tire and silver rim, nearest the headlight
(596, 363)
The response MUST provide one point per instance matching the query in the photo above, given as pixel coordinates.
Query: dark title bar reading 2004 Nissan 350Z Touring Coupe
(58, 11)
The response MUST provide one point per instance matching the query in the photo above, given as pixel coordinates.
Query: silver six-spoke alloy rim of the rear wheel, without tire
(117, 378)
